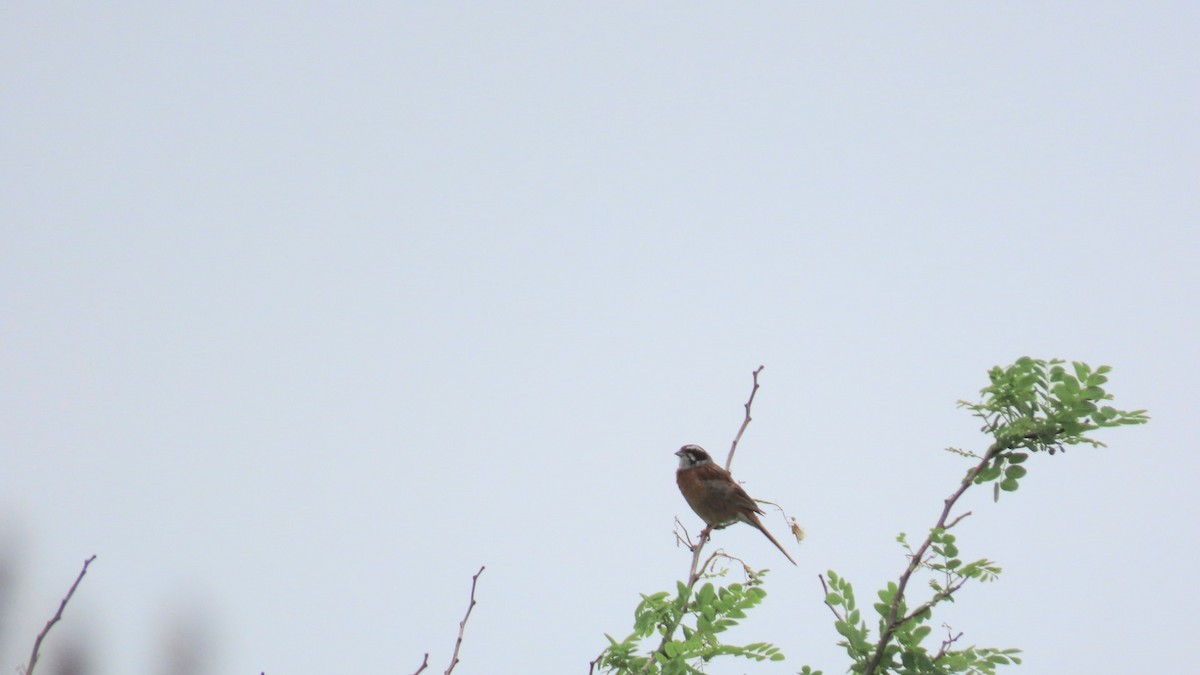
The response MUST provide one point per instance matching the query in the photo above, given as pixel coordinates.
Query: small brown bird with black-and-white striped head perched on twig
(717, 499)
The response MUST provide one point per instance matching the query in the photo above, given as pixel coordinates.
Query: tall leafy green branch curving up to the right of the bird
(1030, 407)
